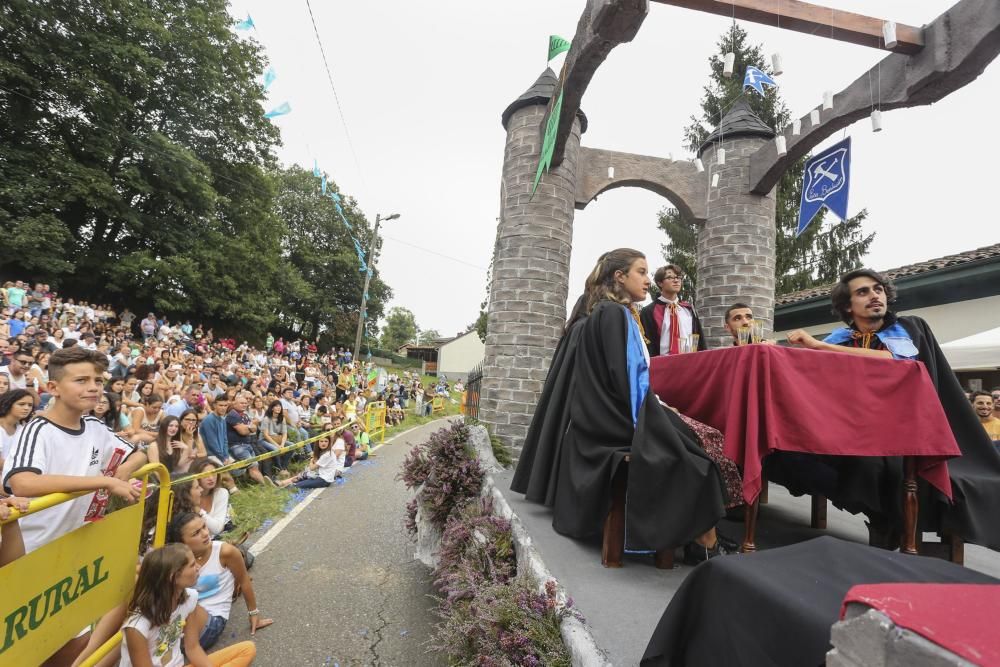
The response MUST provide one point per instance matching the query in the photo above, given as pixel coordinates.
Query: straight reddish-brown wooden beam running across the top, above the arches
(810, 19)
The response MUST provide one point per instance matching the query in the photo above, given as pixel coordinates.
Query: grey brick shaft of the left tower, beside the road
(527, 309)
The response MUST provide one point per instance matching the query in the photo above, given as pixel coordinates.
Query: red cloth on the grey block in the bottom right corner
(959, 617)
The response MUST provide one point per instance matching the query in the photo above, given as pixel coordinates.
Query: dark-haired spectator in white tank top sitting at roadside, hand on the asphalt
(223, 575)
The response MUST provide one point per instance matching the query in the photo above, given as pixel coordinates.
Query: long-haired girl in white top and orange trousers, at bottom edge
(164, 611)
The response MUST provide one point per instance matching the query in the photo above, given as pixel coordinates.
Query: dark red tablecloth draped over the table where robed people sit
(767, 397)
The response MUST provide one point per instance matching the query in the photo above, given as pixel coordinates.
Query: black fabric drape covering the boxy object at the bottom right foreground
(775, 607)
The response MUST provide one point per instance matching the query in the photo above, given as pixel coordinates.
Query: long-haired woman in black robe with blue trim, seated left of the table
(595, 408)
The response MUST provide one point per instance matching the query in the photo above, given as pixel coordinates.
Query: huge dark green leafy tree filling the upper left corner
(135, 157)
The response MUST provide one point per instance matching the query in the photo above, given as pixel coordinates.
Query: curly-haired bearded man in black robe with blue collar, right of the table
(873, 484)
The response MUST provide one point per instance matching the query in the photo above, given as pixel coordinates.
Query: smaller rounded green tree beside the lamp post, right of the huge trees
(321, 288)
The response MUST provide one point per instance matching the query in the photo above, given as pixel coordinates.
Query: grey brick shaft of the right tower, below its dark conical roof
(736, 245)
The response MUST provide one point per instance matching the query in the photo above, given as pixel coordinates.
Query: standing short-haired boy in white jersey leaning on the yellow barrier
(67, 450)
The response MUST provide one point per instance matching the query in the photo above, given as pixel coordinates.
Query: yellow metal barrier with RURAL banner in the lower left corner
(52, 592)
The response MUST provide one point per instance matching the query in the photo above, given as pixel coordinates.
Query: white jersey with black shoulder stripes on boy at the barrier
(48, 449)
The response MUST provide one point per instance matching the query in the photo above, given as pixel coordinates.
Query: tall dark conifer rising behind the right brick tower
(817, 257)
